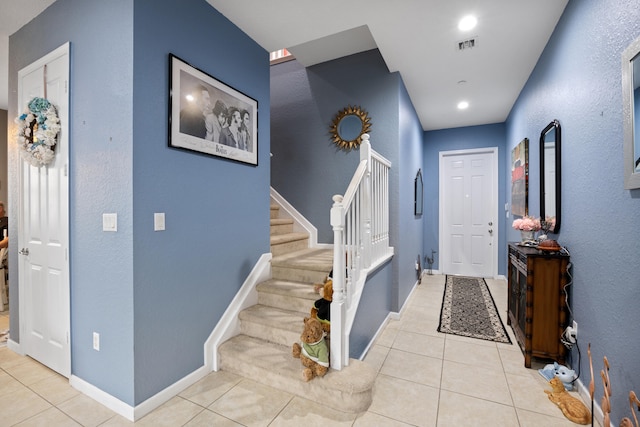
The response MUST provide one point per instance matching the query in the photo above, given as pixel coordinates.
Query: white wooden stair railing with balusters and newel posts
(360, 221)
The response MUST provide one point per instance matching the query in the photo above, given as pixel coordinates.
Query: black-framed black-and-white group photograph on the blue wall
(209, 117)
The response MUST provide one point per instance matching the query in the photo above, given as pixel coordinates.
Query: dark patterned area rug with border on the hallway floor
(468, 310)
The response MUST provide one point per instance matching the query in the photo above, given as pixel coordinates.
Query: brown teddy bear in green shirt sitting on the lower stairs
(312, 350)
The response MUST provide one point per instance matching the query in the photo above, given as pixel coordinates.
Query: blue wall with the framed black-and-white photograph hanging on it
(217, 211)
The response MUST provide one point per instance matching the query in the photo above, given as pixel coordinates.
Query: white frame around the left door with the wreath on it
(65, 318)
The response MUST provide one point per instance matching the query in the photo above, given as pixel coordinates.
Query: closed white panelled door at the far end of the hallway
(468, 212)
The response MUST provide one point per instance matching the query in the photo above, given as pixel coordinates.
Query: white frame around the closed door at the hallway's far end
(441, 197)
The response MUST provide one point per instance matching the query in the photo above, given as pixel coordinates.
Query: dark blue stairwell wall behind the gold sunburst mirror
(307, 167)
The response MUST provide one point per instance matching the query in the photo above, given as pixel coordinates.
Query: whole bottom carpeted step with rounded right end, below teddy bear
(347, 390)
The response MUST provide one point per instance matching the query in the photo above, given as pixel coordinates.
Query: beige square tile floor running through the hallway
(425, 379)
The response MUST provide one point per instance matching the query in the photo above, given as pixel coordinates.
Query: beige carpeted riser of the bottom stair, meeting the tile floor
(346, 402)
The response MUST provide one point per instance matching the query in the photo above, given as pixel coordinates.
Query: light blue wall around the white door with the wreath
(100, 176)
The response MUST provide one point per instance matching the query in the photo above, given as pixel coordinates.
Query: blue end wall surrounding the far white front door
(462, 139)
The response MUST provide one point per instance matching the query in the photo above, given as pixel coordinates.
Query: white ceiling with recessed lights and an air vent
(417, 38)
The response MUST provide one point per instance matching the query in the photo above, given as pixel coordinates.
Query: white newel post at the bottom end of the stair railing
(339, 343)
